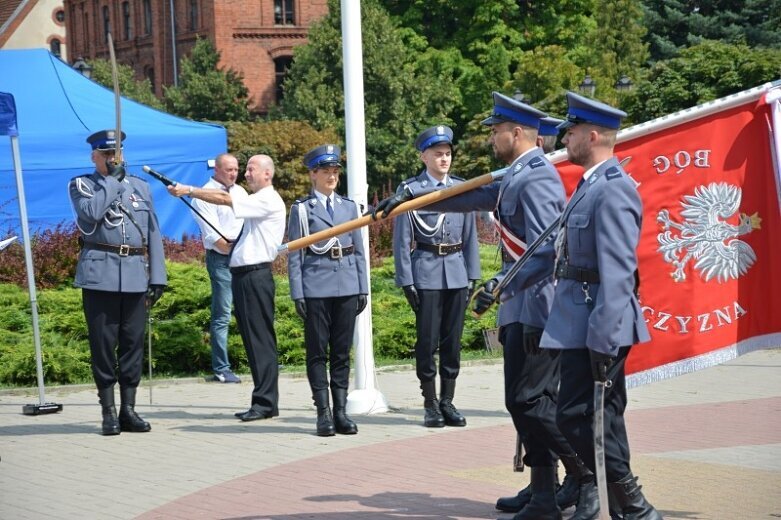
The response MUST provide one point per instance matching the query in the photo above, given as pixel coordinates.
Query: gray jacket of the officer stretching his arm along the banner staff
(530, 196)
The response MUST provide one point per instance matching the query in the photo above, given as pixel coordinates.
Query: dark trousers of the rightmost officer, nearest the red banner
(576, 411)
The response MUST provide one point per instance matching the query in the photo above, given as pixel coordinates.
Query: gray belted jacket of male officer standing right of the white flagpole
(429, 270)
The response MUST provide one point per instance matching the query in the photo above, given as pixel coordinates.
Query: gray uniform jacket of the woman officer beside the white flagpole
(320, 275)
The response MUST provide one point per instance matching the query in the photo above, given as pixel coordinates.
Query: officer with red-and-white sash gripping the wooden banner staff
(528, 198)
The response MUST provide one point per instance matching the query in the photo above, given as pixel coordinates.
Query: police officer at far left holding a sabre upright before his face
(121, 271)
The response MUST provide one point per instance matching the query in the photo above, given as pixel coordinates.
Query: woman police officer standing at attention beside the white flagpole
(329, 286)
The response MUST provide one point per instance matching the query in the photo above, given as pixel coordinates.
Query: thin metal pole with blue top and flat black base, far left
(8, 127)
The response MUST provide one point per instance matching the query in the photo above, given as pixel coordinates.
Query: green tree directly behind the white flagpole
(394, 108)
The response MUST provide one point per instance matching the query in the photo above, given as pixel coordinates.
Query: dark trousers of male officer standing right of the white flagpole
(439, 323)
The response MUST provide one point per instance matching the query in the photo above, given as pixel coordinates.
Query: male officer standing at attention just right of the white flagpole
(437, 263)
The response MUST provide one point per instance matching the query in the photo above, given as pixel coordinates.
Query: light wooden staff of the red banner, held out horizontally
(418, 202)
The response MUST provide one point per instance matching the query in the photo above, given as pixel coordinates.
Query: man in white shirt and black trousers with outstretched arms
(253, 285)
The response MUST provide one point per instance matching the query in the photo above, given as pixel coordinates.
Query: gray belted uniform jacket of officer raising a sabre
(95, 200)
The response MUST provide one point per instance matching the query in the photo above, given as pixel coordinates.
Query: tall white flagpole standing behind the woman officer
(365, 398)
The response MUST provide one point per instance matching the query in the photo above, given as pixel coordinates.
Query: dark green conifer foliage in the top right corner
(676, 24)
